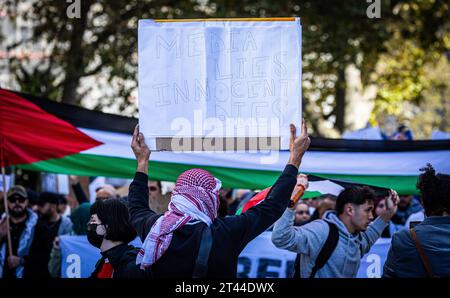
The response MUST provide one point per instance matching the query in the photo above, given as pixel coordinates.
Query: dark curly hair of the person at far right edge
(435, 191)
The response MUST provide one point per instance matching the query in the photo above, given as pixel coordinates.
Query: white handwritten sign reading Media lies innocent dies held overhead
(219, 79)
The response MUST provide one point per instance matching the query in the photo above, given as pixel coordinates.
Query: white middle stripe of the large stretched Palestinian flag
(322, 162)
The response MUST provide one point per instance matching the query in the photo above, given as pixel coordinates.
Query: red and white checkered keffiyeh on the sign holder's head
(195, 197)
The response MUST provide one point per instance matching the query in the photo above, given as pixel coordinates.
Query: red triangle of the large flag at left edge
(29, 134)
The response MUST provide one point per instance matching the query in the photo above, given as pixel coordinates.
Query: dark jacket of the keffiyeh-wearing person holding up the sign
(230, 234)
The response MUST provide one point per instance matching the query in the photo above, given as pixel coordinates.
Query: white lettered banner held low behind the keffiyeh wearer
(259, 259)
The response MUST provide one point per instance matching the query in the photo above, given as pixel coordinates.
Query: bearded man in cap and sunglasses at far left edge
(22, 222)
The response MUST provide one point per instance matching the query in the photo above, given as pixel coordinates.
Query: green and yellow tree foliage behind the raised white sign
(392, 52)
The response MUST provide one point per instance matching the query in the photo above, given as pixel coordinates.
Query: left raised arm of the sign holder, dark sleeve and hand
(141, 216)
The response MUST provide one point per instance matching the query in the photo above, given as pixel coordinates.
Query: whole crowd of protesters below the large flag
(194, 232)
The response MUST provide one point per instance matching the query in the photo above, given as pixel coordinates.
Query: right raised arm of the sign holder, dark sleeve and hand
(260, 217)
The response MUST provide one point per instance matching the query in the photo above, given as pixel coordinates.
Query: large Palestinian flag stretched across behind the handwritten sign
(98, 144)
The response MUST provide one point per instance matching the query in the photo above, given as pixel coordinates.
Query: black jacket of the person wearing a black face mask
(123, 261)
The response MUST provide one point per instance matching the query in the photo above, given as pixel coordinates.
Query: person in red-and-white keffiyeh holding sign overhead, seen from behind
(189, 240)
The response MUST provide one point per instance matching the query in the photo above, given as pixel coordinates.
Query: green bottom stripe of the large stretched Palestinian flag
(97, 165)
